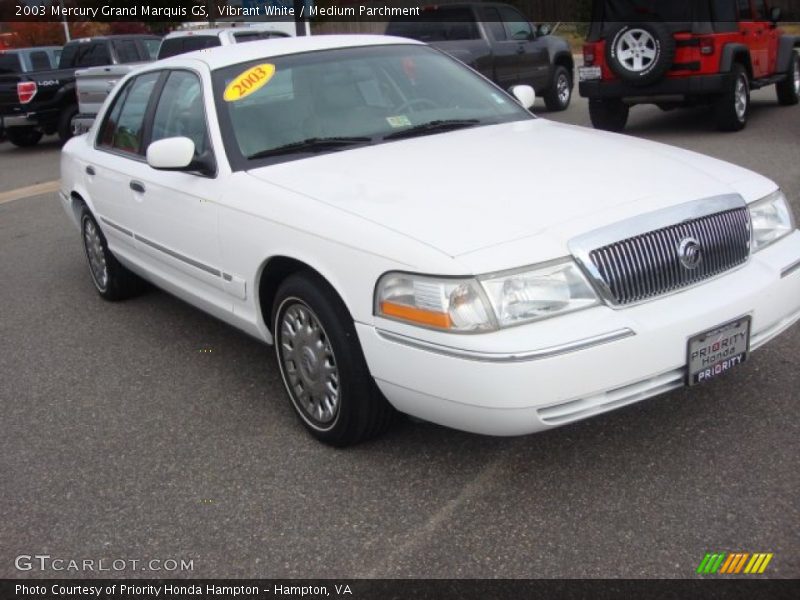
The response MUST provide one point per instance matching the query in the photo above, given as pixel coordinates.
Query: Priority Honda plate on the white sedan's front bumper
(715, 352)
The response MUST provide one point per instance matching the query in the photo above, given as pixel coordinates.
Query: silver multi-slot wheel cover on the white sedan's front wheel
(308, 364)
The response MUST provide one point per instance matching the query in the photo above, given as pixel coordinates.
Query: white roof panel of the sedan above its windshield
(223, 56)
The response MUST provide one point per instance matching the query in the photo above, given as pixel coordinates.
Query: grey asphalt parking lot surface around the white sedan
(148, 430)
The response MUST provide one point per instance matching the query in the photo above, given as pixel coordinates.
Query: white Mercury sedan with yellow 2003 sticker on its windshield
(410, 238)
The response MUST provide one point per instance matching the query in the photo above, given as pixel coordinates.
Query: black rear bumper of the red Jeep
(700, 85)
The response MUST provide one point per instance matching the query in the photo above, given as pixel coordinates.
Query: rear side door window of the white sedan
(124, 126)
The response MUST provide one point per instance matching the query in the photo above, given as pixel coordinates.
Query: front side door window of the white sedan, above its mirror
(180, 111)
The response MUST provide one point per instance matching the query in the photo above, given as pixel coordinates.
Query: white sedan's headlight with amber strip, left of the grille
(484, 303)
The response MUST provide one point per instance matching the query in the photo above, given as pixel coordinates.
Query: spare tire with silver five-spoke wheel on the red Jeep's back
(640, 53)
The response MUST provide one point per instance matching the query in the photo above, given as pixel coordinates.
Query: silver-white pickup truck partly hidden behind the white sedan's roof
(95, 83)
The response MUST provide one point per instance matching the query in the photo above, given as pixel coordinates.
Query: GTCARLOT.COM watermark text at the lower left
(45, 562)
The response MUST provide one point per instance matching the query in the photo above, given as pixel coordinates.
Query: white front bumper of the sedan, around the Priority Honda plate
(503, 386)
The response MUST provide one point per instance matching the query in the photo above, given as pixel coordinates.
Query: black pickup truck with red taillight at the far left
(44, 102)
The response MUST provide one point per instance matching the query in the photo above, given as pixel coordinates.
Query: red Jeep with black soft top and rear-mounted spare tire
(675, 53)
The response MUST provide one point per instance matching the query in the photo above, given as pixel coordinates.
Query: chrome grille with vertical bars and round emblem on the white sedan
(649, 265)
